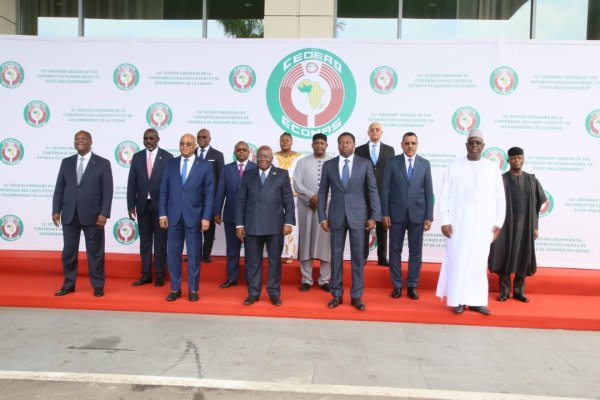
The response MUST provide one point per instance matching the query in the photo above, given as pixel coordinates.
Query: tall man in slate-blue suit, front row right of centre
(354, 208)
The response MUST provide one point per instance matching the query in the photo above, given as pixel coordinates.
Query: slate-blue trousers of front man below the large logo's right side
(338, 240)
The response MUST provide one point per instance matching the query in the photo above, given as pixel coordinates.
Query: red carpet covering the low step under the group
(560, 298)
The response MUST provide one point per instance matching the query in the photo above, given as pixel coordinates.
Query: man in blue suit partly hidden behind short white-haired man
(225, 205)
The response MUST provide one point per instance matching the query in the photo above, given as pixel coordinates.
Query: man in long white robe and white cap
(472, 208)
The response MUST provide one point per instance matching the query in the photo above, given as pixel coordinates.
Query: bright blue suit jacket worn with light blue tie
(191, 202)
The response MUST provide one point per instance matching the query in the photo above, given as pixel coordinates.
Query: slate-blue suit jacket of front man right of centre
(357, 203)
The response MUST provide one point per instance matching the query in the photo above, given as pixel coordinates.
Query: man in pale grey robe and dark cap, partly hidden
(313, 242)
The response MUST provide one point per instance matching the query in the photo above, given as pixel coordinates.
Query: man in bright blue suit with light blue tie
(187, 192)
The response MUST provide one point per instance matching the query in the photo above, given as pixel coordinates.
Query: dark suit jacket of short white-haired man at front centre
(263, 210)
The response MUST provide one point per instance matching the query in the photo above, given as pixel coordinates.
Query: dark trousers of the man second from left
(152, 236)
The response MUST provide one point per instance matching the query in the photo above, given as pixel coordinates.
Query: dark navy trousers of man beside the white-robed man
(415, 252)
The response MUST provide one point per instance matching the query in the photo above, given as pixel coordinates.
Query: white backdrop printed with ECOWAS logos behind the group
(542, 96)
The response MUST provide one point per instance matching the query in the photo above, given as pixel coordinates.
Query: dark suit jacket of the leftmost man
(93, 195)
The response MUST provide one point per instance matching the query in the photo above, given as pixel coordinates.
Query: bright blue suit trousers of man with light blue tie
(176, 234)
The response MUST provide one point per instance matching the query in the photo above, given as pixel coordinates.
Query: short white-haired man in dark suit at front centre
(264, 215)
